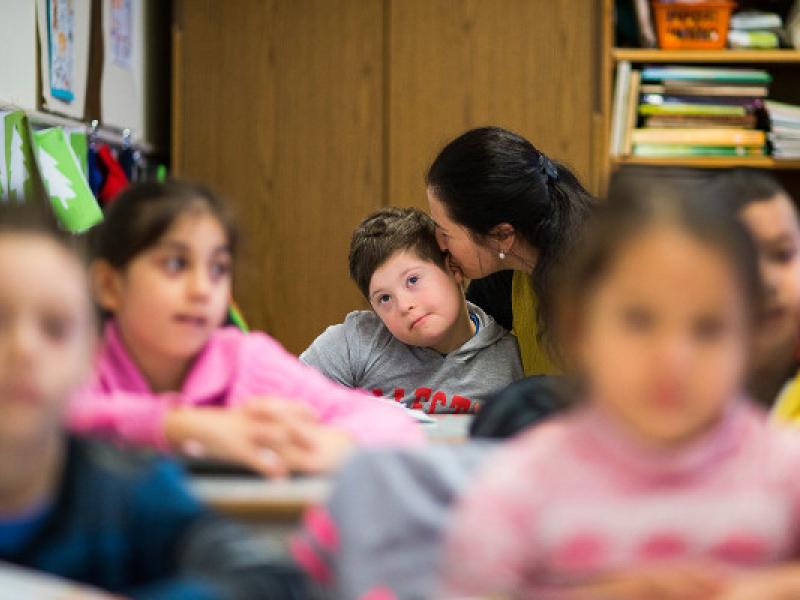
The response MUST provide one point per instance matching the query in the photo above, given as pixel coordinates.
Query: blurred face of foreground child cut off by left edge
(46, 335)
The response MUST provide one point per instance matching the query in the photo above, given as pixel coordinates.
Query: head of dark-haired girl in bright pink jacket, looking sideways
(162, 267)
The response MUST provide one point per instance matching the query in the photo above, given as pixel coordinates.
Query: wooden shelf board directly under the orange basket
(647, 55)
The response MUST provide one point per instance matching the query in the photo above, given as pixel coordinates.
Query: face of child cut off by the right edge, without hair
(774, 225)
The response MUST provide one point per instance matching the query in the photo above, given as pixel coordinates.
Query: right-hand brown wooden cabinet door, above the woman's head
(527, 65)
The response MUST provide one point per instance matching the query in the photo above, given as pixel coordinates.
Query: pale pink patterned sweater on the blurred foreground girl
(577, 498)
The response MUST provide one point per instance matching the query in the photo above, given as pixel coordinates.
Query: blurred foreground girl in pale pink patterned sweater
(663, 481)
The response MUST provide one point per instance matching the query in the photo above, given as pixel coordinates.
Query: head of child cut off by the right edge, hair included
(771, 217)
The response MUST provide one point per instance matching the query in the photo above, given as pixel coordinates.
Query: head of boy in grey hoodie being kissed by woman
(398, 266)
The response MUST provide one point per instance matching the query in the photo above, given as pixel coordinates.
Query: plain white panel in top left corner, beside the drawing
(18, 71)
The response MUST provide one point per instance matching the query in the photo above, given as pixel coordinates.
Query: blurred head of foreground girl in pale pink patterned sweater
(662, 298)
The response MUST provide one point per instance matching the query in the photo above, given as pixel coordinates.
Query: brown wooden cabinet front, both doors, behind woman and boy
(308, 114)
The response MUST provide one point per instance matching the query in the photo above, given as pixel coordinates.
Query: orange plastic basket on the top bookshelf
(692, 24)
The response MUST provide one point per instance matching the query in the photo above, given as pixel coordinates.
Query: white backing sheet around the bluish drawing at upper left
(81, 27)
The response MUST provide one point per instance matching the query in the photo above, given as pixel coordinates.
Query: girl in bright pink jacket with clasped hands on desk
(170, 376)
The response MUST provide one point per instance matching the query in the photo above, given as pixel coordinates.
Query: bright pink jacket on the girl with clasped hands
(233, 368)
